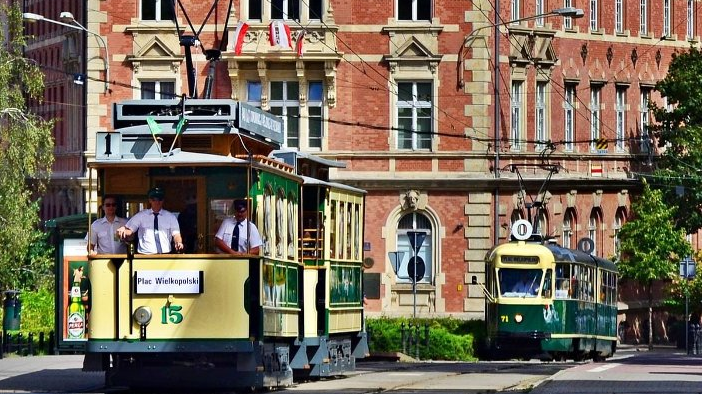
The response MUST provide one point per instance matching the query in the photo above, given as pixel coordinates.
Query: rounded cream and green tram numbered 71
(545, 301)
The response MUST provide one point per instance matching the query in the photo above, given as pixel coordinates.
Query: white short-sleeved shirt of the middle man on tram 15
(143, 222)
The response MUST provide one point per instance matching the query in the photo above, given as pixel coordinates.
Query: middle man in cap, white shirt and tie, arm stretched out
(156, 227)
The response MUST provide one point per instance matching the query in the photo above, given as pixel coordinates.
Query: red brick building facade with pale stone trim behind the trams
(403, 92)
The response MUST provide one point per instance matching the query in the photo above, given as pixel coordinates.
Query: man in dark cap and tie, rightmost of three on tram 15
(238, 235)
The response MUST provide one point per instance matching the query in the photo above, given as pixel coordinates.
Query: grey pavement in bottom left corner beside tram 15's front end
(47, 374)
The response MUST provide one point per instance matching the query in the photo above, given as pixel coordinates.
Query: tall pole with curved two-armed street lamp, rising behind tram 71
(566, 12)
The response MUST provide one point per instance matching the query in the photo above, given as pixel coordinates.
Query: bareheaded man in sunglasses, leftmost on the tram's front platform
(102, 237)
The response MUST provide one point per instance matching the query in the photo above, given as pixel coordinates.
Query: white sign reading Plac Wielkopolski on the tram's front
(169, 282)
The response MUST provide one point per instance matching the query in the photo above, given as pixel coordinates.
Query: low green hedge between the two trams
(449, 339)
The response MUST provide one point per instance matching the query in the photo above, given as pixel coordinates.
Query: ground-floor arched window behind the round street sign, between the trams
(414, 222)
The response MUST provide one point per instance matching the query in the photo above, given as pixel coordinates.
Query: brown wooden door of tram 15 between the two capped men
(185, 197)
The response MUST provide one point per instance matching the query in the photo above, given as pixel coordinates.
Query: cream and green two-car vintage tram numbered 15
(213, 320)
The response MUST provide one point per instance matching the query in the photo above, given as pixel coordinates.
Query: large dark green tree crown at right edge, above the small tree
(678, 129)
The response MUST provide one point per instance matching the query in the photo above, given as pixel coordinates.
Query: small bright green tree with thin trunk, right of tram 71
(651, 246)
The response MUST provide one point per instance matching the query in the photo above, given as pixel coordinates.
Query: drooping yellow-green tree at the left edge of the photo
(26, 152)
